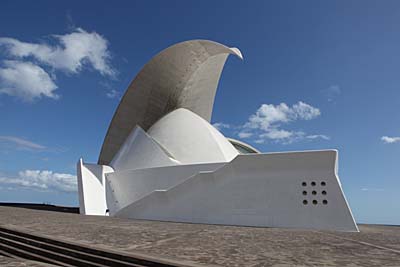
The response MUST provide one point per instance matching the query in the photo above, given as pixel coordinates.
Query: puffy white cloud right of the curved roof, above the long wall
(267, 121)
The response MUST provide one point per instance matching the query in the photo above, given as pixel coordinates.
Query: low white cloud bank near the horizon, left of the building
(42, 180)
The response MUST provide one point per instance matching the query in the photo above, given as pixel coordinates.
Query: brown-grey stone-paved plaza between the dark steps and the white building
(213, 244)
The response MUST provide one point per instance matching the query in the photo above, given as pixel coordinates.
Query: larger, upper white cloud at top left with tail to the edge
(74, 51)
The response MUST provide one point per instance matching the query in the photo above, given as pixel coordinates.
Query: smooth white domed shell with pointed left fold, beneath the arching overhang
(179, 138)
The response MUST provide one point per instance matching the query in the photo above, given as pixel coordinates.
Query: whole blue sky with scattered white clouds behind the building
(315, 75)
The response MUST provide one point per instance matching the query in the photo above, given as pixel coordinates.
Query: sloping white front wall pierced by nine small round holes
(256, 190)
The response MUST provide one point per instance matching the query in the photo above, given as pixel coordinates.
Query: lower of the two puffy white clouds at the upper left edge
(26, 81)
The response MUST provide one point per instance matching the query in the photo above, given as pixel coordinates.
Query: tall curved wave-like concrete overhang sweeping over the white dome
(185, 75)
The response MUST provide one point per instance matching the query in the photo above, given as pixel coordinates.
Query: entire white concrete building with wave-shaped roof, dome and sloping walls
(162, 159)
